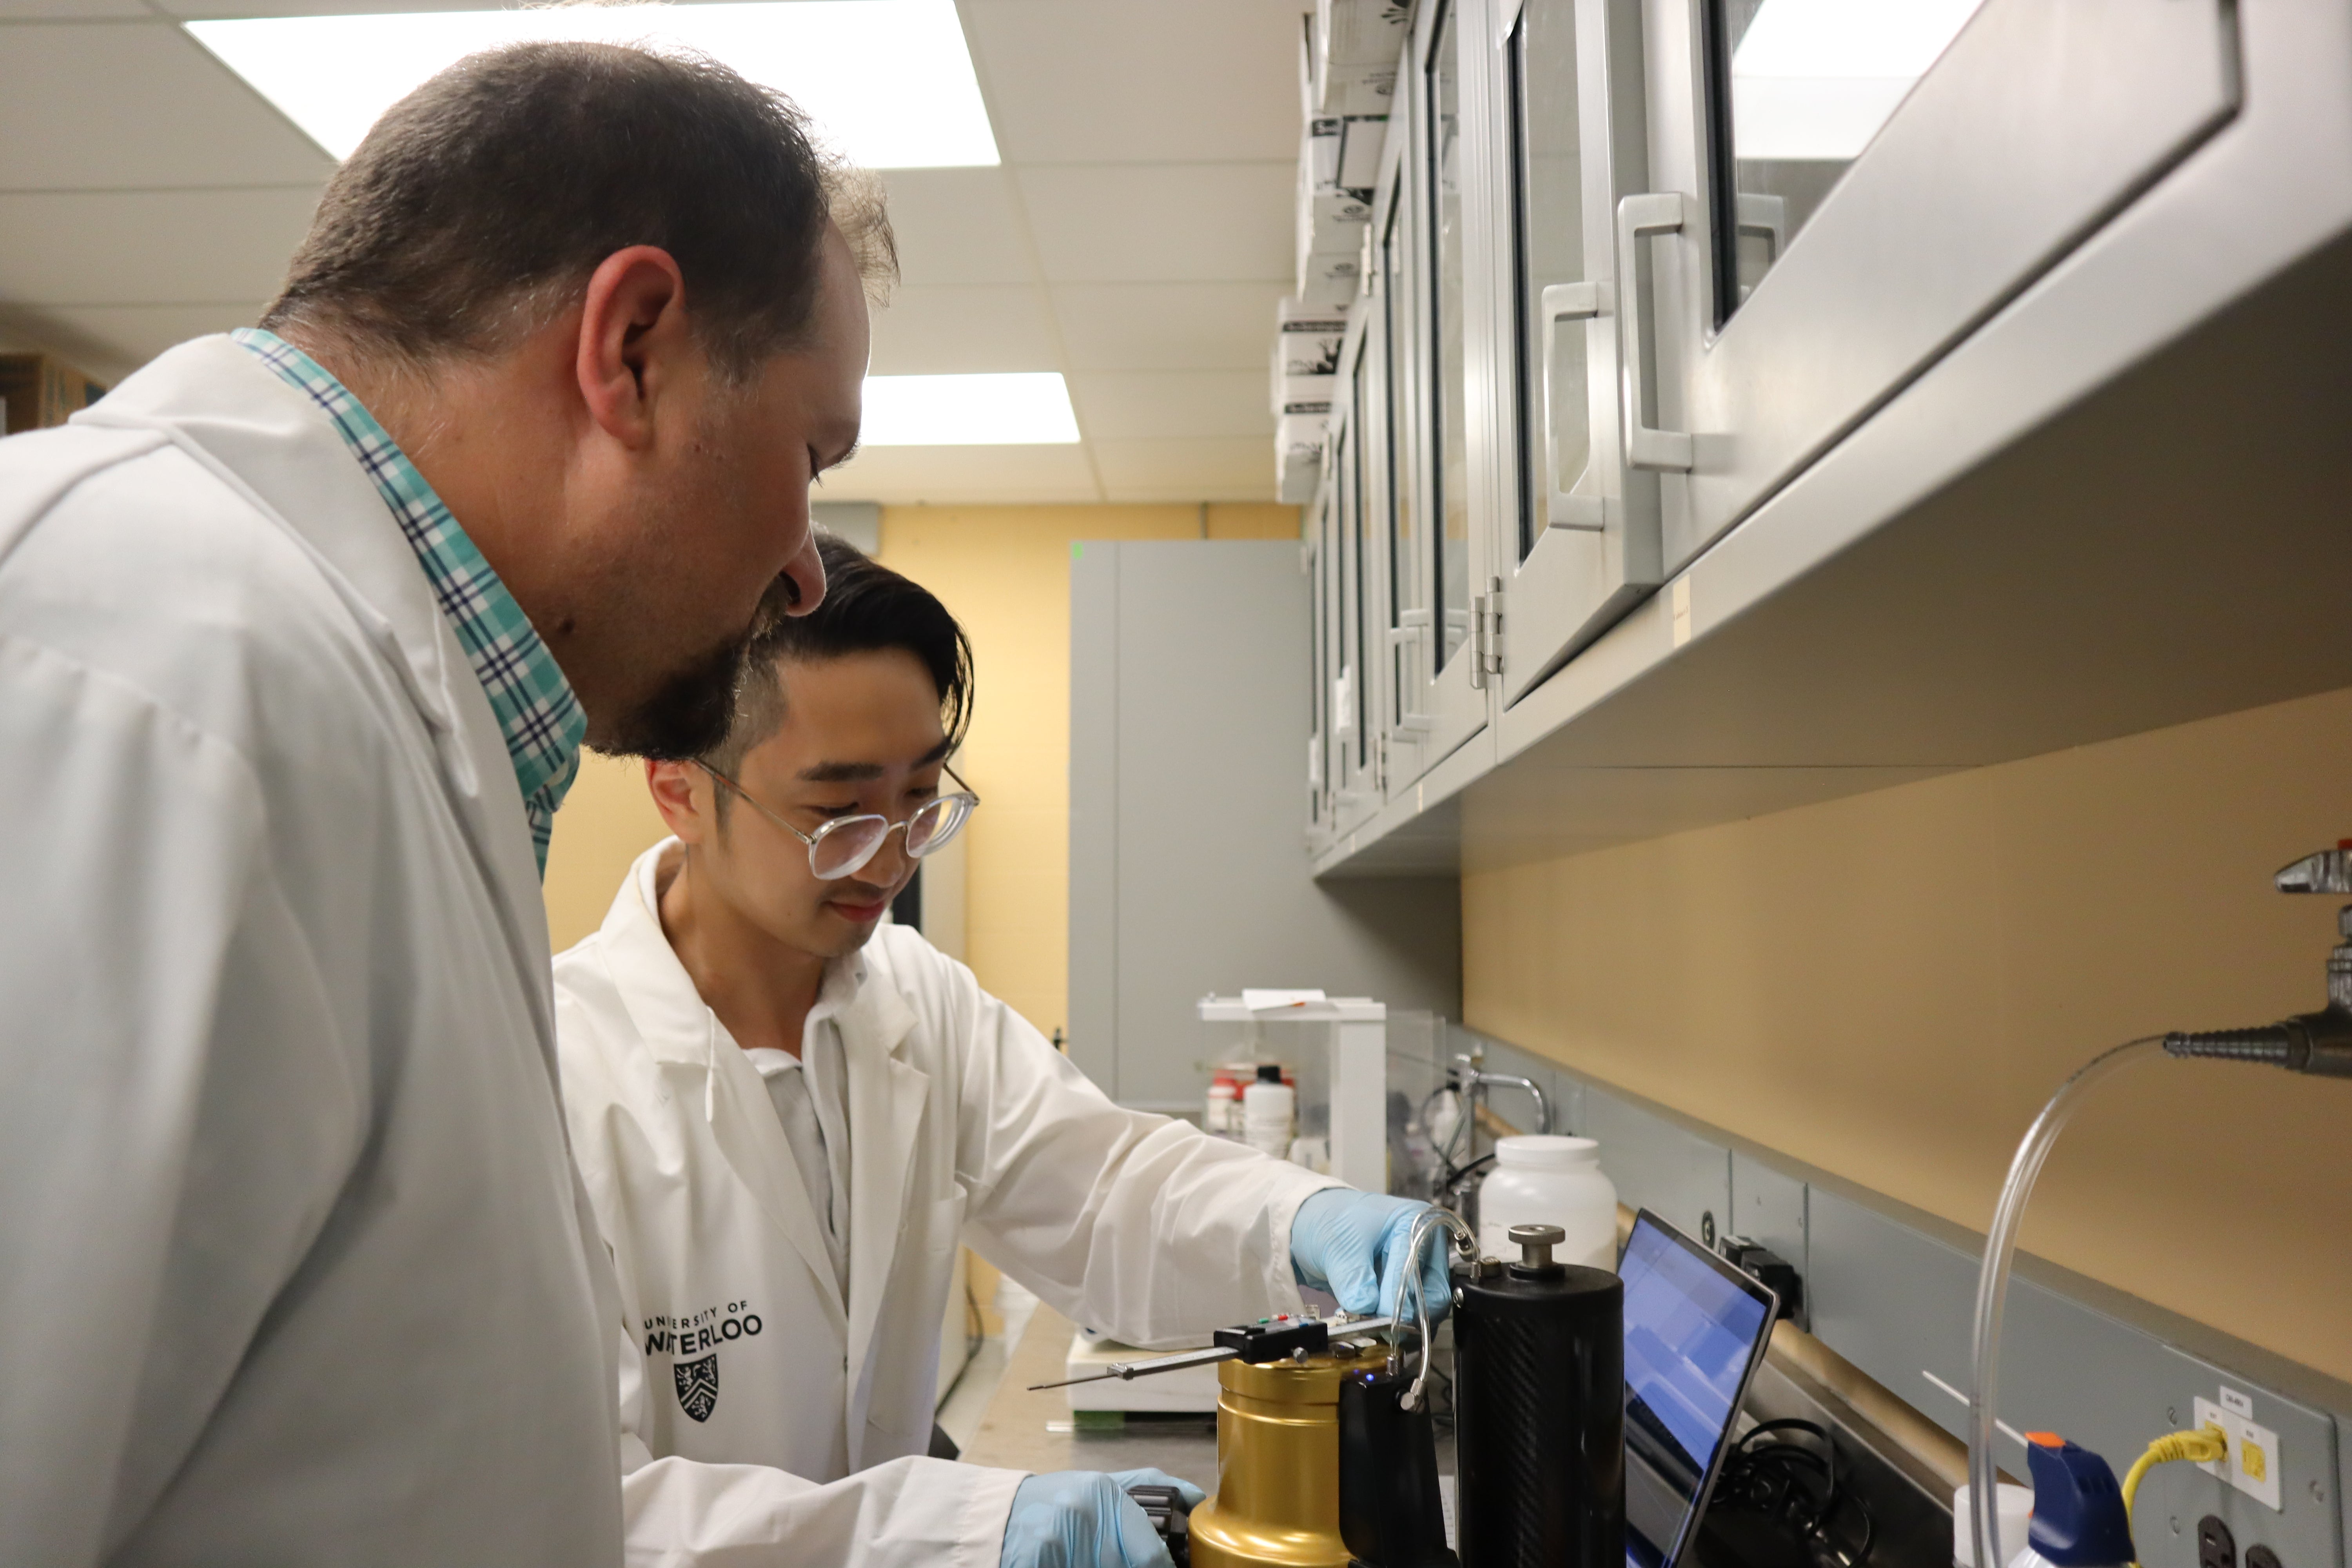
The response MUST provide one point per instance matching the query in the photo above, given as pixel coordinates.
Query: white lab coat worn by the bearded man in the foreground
(293, 1257)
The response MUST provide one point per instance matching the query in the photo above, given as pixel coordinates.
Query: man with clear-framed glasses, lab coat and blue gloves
(791, 1113)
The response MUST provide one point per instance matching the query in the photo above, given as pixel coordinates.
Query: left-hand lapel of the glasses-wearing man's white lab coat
(681, 1033)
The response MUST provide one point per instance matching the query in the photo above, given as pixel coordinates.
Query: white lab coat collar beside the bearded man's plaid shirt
(276, 448)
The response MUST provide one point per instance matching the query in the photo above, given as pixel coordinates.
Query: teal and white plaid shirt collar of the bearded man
(537, 711)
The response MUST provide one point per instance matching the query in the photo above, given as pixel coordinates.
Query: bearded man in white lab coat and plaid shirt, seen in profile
(300, 638)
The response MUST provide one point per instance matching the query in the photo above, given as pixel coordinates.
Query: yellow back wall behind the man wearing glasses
(1005, 575)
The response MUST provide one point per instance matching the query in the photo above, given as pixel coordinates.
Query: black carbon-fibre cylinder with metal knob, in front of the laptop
(1539, 1400)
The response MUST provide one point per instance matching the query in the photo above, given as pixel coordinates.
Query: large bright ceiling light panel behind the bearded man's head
(888, 83)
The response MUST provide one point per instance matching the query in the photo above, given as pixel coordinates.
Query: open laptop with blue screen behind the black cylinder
(1695, 1336)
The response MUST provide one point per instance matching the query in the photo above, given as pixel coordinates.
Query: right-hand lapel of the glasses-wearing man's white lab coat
(886, 1115)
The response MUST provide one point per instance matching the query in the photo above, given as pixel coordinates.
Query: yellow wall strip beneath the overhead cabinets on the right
(1890, 989)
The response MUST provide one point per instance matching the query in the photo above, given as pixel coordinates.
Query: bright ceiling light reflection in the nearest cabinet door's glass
(1817, 79)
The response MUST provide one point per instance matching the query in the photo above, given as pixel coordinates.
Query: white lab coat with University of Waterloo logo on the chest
(747, 1391)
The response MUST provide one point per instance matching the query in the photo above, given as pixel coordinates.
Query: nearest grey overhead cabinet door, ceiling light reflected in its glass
(1817, 236)
